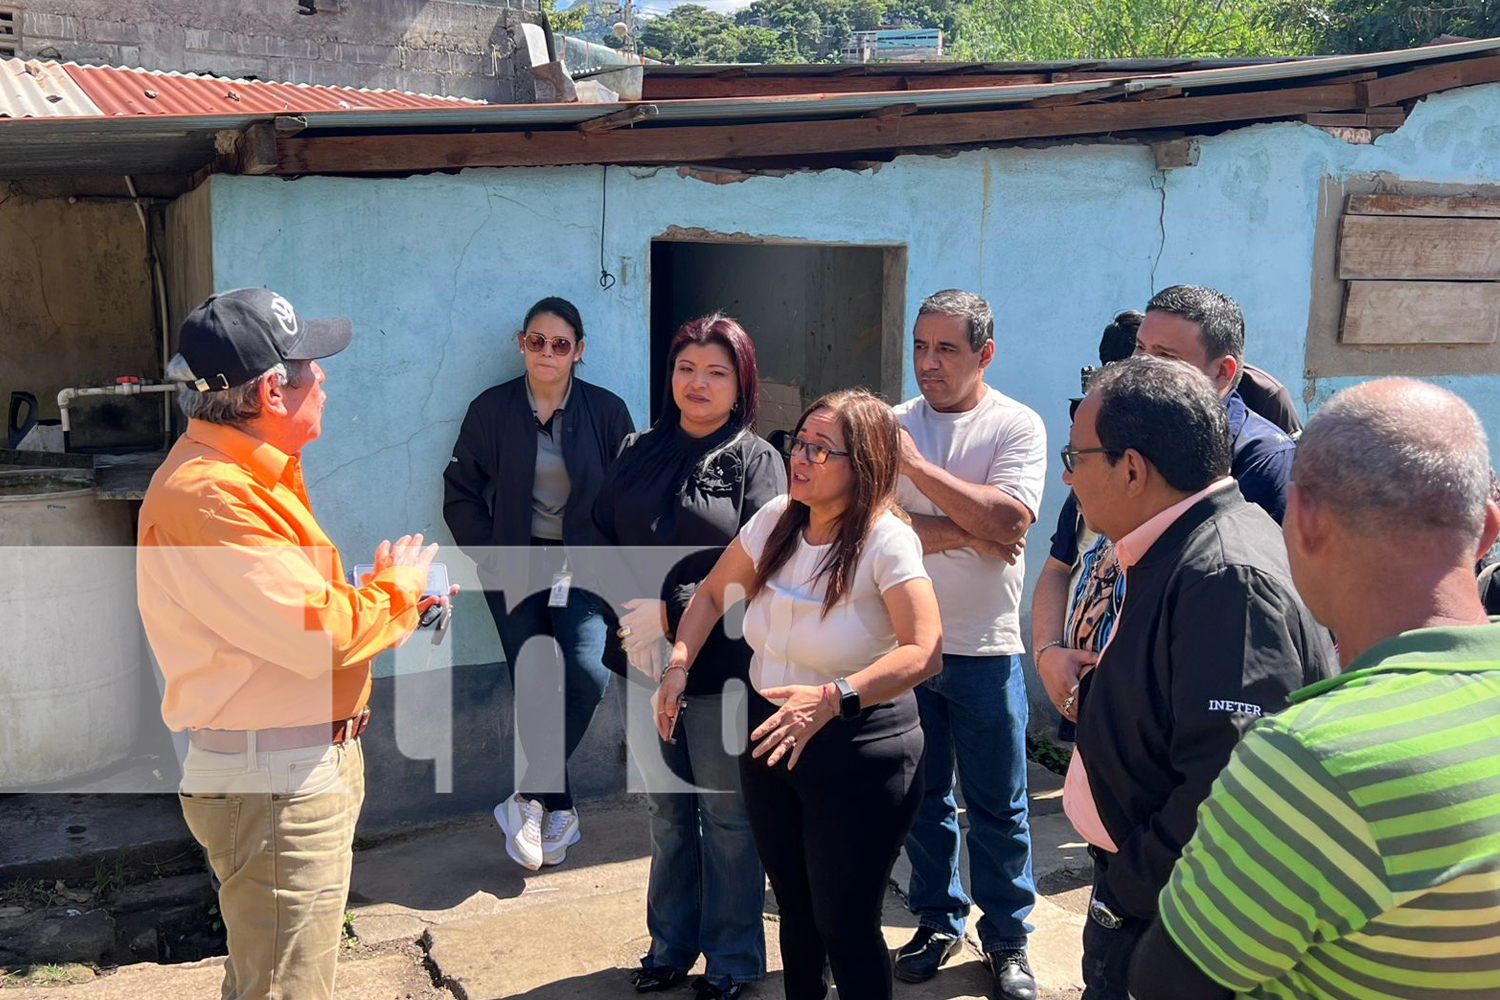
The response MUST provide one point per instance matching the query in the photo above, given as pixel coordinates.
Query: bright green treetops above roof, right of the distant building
(1021, 31)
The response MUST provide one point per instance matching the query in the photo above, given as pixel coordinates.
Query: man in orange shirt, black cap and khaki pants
(263, 645)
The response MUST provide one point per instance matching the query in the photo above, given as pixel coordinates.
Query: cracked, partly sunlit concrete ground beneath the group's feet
(448, 914)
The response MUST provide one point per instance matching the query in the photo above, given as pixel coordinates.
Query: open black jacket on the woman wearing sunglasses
(487, 488)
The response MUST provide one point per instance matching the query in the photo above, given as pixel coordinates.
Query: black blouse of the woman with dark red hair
(671, 490)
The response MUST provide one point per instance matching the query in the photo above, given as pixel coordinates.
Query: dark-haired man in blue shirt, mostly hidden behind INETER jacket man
(1205, 329)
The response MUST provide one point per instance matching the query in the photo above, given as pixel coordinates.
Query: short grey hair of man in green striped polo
(1396, 457)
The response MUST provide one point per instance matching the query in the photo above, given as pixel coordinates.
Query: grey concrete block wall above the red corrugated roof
(439, 47)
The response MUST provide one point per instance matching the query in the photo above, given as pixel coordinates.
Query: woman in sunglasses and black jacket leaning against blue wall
(529, 464)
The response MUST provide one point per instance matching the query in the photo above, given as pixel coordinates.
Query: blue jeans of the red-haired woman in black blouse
(707, 890)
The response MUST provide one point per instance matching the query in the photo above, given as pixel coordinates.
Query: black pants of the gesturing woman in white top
(829, 834)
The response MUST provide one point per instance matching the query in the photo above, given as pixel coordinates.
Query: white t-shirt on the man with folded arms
(1004, 445)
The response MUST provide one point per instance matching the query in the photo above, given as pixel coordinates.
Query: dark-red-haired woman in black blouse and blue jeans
(692, 482)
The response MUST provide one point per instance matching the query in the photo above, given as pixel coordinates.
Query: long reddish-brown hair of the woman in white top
(872, 439)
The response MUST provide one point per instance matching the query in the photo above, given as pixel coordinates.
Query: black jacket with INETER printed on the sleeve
(1213, 635)
